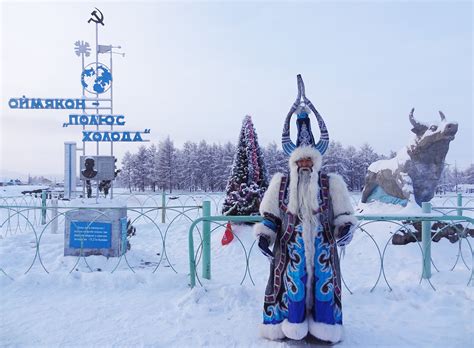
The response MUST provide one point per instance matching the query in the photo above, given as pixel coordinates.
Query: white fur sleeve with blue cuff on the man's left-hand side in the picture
(270, 211)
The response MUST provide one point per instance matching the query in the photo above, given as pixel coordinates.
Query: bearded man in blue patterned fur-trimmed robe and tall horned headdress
(307, 214)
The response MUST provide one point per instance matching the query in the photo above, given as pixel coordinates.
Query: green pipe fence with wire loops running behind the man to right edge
(402, 223)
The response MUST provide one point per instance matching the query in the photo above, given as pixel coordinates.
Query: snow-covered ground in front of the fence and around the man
(98, 302)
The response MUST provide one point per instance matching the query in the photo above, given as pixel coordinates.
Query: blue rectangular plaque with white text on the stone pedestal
(90, 235)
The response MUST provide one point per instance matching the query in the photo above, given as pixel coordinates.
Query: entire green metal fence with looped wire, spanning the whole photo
(174, 234)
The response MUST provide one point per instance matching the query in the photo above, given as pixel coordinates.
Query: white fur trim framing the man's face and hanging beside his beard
(298, 153)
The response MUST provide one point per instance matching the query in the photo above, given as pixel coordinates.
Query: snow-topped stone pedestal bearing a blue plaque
(96, 228)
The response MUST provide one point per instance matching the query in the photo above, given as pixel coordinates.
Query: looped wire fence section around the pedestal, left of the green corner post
(36, 233)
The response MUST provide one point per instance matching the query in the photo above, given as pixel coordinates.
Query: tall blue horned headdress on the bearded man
(302, 107)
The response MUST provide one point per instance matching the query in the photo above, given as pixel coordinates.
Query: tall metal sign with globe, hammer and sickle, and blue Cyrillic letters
(96, 105)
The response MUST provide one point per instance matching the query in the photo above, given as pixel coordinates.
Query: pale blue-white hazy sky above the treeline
(193, 70)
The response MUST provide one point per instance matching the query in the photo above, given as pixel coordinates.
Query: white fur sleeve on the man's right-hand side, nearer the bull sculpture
(341, 202)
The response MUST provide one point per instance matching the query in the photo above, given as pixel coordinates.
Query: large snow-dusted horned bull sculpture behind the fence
(413, 174)
